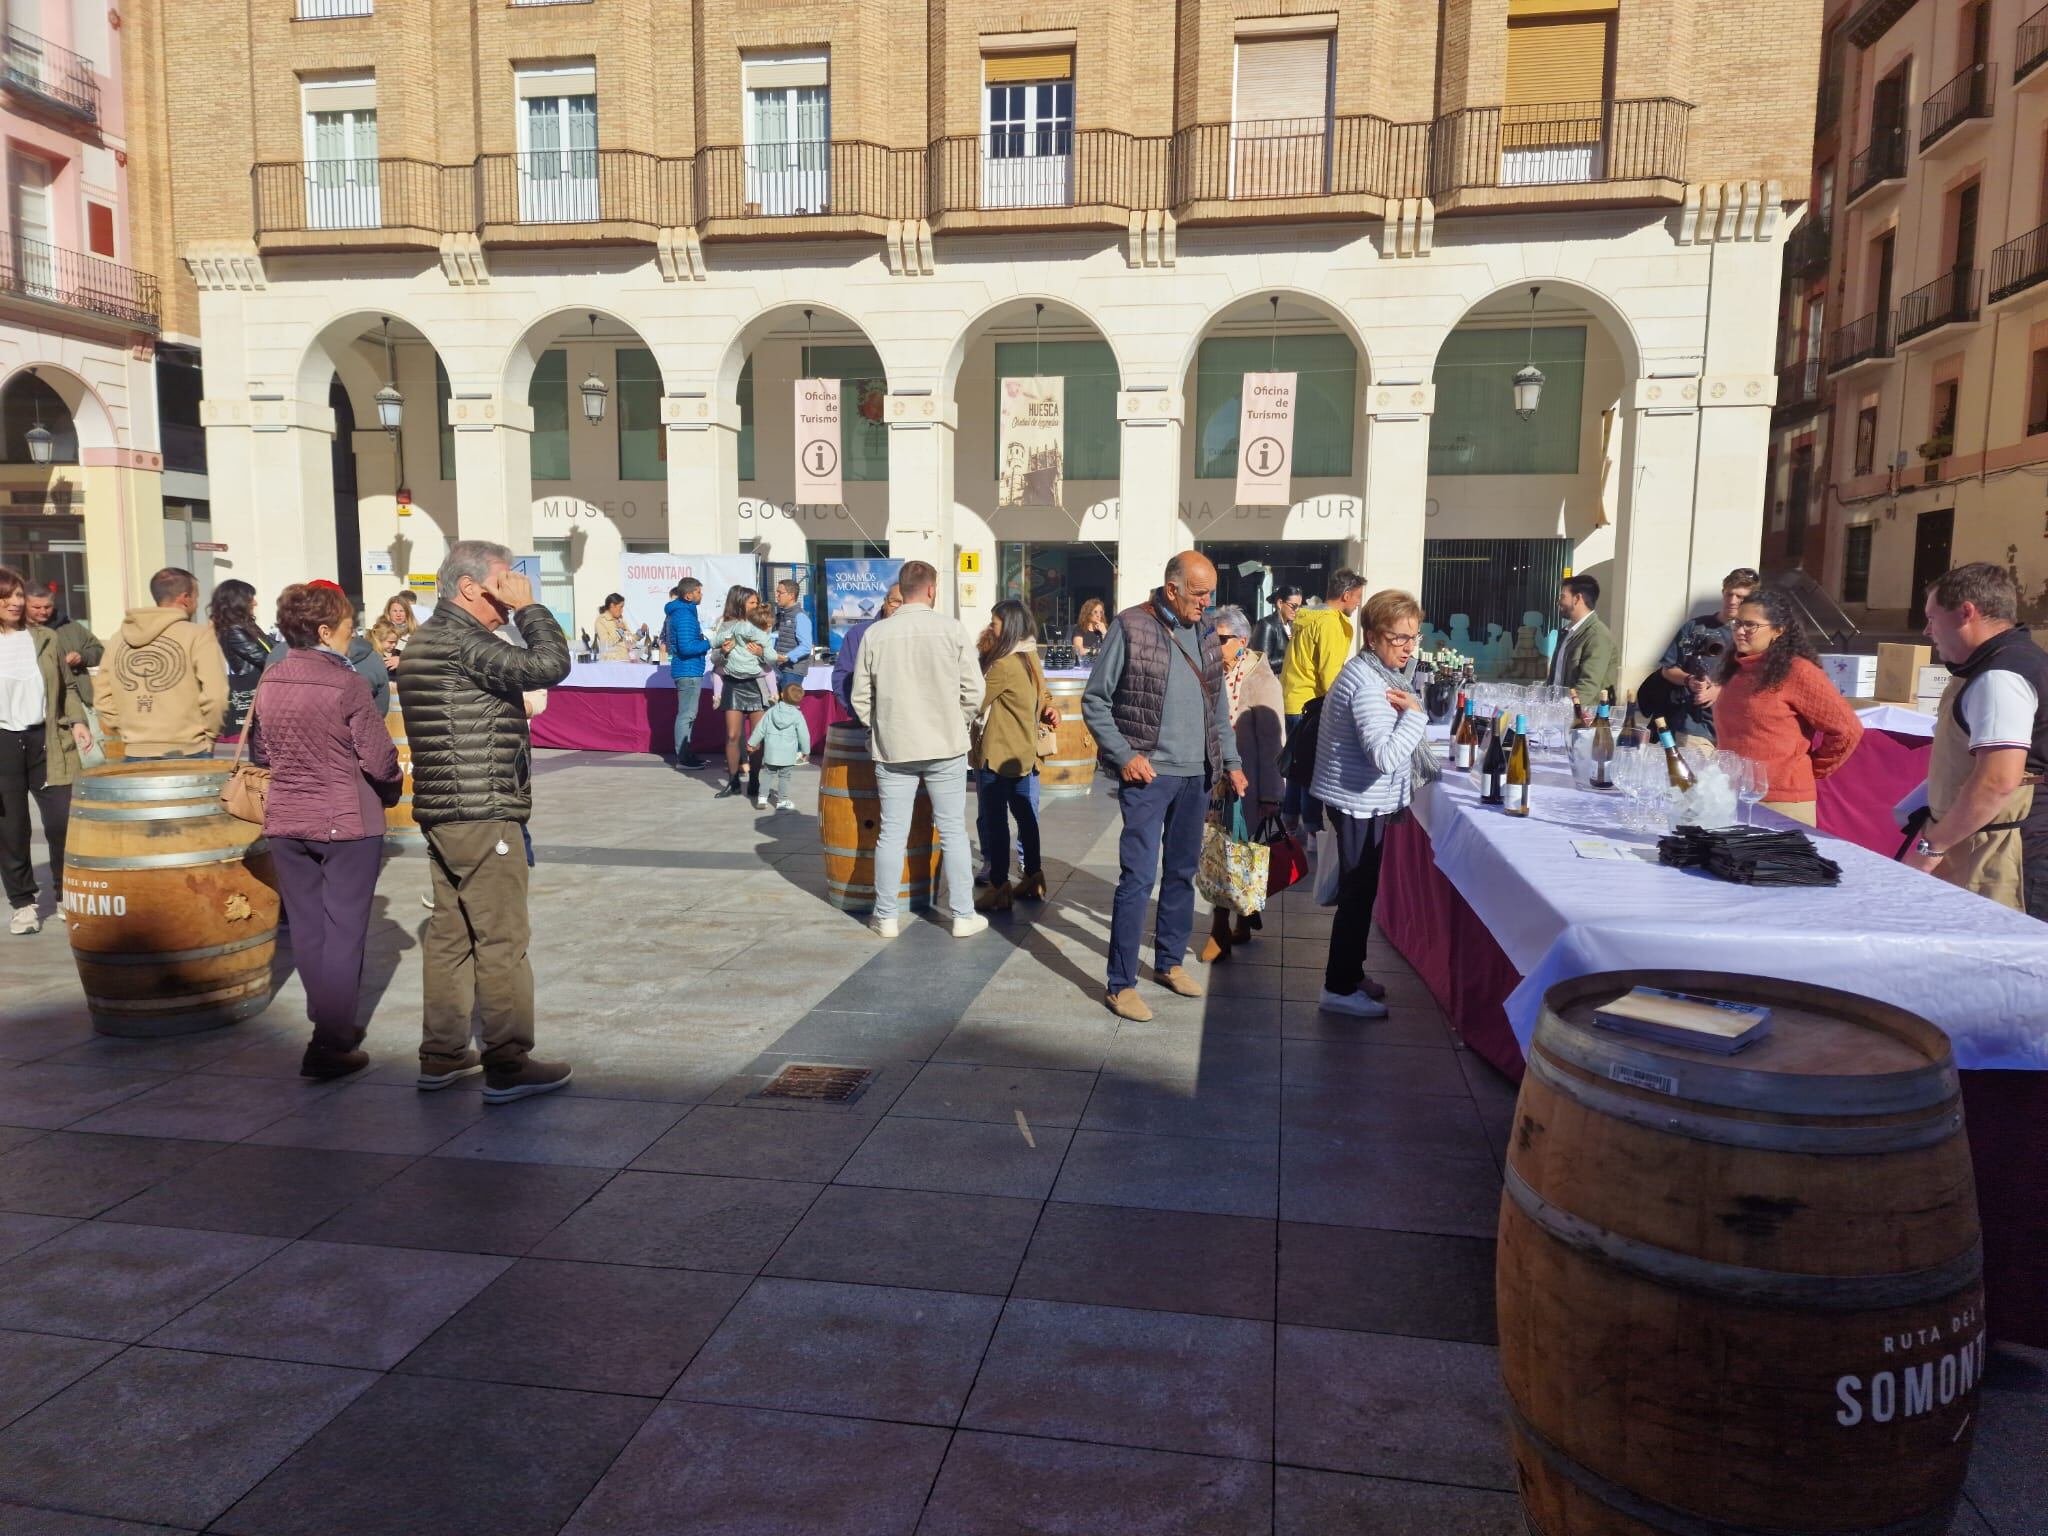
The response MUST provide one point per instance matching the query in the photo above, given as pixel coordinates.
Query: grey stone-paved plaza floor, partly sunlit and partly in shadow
(1218, 1275)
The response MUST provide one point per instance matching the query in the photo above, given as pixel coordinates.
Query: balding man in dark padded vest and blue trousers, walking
(1162, 726)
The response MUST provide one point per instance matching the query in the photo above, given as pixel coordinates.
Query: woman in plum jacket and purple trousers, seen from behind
(333, 775)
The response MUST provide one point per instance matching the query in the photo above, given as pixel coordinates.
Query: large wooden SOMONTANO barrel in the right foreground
(1740, 1293)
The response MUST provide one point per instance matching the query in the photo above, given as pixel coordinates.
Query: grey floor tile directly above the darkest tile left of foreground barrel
(1373, 1185)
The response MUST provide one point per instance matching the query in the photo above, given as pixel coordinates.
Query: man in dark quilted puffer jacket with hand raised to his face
(472, 792)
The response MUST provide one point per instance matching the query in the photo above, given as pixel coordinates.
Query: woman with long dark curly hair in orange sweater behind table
(1777, 706)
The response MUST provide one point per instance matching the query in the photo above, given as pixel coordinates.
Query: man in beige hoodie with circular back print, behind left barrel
(163, 685)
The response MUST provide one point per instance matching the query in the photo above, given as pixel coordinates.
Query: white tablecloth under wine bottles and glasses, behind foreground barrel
(1887, 933)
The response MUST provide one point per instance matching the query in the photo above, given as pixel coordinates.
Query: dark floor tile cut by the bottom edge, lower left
(447, 1457)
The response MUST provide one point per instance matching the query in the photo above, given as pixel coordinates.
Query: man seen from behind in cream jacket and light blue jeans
(919, 689)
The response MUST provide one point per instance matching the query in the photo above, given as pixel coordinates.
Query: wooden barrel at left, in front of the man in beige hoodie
(171, 902)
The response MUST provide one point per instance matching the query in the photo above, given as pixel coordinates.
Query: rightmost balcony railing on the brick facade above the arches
(1560, 144)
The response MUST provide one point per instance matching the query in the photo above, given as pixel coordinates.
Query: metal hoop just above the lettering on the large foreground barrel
(1809, 1293)
